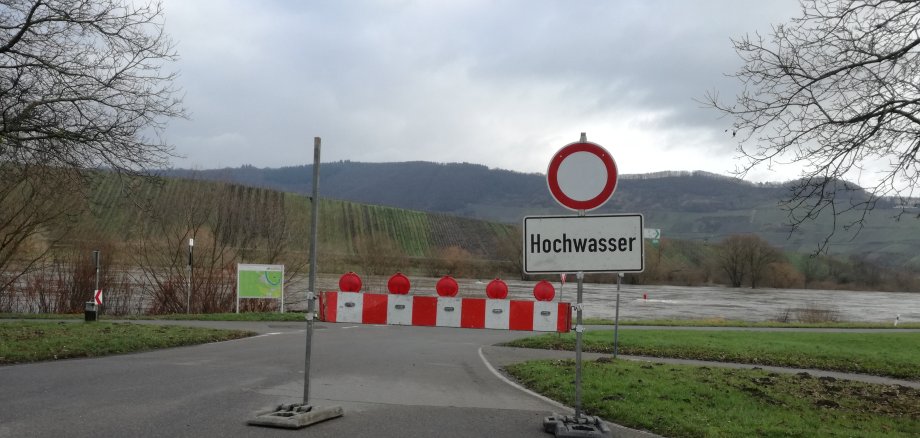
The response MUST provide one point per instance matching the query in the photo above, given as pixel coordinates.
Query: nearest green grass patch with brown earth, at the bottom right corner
(683, 401)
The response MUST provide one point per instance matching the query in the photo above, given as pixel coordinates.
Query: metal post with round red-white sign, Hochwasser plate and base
(582, 176)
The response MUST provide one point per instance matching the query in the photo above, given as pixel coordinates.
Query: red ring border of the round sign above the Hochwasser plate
(553, 170)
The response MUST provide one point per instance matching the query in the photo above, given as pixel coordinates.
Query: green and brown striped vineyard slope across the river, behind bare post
(121, 214)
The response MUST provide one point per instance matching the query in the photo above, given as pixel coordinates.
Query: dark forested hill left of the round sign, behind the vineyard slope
(458, 189)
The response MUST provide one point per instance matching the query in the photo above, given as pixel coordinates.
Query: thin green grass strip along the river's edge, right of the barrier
(736, 323)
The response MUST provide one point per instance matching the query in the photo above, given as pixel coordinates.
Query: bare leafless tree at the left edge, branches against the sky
(83, 86)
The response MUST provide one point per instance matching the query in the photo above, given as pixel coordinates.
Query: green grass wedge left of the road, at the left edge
(31, 341)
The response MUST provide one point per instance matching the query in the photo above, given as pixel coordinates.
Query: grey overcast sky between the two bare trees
(499, 83)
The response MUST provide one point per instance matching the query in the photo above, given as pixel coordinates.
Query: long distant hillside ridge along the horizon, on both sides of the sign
(693, 205)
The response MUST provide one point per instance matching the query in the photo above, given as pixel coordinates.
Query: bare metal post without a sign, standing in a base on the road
(298, 415)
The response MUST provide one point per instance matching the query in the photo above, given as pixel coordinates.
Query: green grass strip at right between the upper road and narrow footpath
(883, 354)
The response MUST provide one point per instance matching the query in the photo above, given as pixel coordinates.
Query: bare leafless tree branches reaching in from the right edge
(835, 91)
